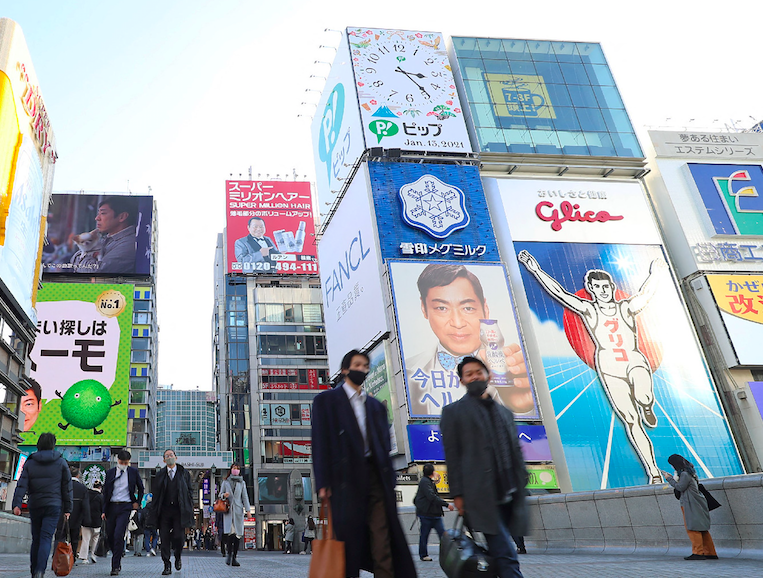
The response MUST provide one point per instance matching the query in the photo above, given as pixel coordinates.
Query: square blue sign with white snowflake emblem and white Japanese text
(432, 212)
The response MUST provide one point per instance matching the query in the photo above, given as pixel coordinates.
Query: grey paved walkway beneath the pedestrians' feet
(275, 564)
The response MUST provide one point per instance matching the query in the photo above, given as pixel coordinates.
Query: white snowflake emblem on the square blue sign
(433, 206)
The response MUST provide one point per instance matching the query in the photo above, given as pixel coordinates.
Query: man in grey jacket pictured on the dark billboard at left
(114, 252)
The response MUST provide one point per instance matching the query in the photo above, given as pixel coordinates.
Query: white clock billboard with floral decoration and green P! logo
(406, 91)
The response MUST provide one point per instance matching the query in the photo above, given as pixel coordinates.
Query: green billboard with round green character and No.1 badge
(81, 365)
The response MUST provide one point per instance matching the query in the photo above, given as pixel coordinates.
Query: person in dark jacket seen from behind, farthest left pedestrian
(47, 482)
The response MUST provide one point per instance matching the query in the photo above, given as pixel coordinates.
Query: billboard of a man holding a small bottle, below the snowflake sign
(446, 311)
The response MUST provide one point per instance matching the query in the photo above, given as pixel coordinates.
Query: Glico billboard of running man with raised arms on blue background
(628, 384)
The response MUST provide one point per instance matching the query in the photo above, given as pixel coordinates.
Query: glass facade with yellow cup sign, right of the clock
(555, 98)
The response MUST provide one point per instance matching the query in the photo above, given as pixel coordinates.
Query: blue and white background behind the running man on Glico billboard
(690, 420)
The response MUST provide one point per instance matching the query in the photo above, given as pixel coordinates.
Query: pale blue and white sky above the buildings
(176, 96)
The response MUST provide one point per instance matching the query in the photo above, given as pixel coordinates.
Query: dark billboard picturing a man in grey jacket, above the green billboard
(99, 235)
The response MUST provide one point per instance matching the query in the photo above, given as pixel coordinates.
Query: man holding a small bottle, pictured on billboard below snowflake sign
(453, 302)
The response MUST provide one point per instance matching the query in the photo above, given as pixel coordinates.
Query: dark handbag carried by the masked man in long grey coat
(461, 556)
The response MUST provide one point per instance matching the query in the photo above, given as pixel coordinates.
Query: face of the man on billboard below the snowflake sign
(454, 312)
